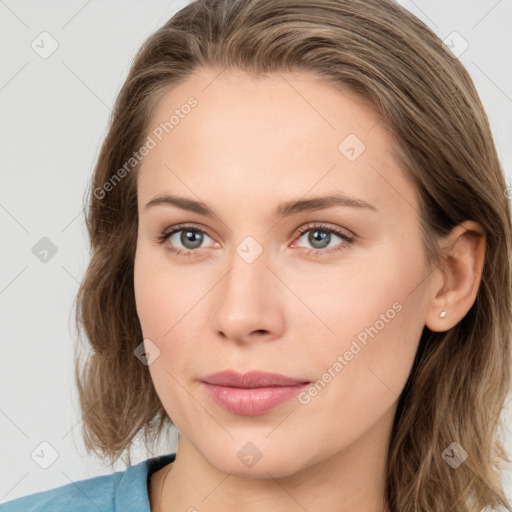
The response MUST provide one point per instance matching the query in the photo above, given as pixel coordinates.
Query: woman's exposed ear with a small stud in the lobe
(455, 285)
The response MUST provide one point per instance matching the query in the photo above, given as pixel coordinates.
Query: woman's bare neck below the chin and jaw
(350, 480)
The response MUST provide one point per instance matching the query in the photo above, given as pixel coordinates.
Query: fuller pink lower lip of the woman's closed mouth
(251, 401)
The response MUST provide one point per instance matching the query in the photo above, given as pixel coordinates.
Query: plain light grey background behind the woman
(54, 114)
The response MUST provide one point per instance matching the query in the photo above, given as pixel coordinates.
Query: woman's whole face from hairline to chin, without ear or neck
(261, 167)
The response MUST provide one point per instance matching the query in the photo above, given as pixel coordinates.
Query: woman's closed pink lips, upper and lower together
(253, 393)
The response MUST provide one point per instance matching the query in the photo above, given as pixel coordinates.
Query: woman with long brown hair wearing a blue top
(301, 256)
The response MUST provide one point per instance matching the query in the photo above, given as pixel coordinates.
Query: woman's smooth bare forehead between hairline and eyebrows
(255, 136)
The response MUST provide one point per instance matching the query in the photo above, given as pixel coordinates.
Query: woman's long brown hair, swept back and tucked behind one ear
(460, 378)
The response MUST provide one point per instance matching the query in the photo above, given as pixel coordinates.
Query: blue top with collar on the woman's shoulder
(122, 491)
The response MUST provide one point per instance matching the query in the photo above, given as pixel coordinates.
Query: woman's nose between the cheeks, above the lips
(249, 302)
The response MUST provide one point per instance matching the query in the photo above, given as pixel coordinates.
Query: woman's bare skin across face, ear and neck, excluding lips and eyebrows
(248, 145)
